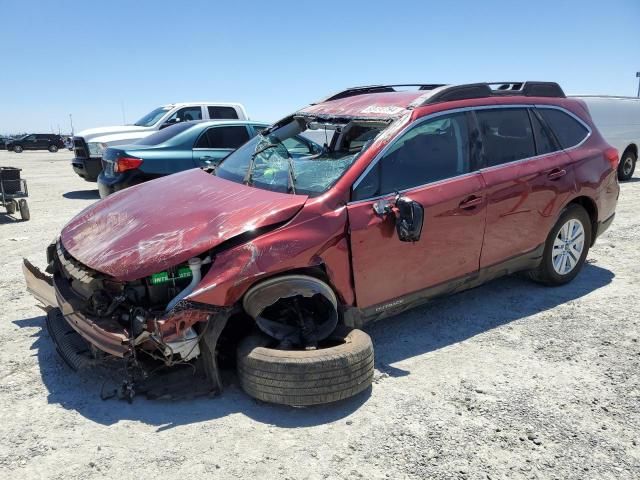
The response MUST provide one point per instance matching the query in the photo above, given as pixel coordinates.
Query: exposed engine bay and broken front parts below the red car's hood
(147, 311)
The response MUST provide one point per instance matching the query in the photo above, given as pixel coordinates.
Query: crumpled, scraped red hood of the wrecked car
(159, 224)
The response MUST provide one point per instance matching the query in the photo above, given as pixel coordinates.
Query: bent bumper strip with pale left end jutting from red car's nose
(53, 292)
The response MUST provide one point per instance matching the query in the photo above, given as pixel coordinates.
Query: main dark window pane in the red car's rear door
(506, 135)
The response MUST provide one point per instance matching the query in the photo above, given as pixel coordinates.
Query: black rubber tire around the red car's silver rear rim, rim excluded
(545, 272)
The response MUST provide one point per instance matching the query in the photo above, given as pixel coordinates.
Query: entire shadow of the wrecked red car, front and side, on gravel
(422, 330)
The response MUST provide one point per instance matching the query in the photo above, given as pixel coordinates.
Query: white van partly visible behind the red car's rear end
(618, 119)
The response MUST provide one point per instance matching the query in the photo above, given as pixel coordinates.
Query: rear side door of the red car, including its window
(528, 178)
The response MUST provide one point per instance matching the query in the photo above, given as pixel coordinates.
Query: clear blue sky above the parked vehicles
(89, 58)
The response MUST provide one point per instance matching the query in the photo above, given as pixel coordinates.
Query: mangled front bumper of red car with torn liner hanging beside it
(167, 342)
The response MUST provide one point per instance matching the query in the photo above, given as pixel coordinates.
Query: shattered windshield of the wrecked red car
(303, 156)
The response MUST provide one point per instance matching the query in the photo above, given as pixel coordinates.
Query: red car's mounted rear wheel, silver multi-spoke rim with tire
(566, 248)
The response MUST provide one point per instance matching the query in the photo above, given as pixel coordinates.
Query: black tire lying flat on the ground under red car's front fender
(308, 377)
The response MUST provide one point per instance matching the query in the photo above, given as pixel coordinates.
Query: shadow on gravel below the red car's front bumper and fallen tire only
(81, 391)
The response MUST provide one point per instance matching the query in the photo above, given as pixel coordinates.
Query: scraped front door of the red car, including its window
(431, 164)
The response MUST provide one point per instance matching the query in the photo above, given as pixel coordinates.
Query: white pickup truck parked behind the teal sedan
(88, 145)
